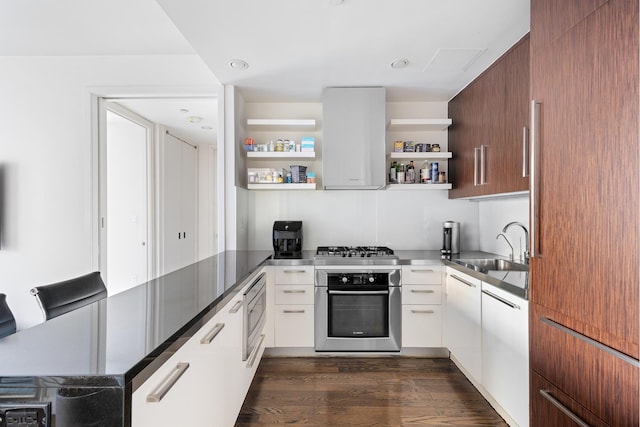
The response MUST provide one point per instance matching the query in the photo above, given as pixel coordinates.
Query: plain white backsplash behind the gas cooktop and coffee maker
(400, 219)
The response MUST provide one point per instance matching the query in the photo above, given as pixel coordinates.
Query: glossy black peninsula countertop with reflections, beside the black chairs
(114, 340)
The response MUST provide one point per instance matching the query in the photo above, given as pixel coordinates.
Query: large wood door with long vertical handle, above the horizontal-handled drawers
(586, 266)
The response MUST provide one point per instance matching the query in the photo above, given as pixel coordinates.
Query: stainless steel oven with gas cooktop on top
(358, 304)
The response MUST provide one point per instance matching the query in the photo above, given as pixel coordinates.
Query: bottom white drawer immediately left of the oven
(294, 326)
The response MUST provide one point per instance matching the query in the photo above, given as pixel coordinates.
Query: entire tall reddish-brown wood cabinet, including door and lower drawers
(585, 213)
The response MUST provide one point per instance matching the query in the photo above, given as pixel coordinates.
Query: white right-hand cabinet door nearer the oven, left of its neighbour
(463, 328)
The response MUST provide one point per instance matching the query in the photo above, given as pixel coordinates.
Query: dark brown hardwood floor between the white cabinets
(341, 391)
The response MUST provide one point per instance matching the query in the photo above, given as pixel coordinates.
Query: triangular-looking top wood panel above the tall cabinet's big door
(557, 17)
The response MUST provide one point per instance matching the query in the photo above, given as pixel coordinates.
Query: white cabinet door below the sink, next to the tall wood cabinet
(505, 351)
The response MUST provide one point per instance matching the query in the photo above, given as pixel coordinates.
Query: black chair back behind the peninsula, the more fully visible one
(63, 297)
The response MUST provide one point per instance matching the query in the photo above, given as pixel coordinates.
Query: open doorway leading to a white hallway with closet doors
(136, 177)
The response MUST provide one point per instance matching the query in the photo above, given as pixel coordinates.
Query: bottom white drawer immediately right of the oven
(421, 326)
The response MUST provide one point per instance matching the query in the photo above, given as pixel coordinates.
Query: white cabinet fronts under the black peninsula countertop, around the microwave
(205, 381)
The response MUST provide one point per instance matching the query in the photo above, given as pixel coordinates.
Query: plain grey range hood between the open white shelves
(353, 141)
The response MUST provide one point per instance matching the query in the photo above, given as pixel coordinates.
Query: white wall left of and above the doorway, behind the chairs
(46, 157)
